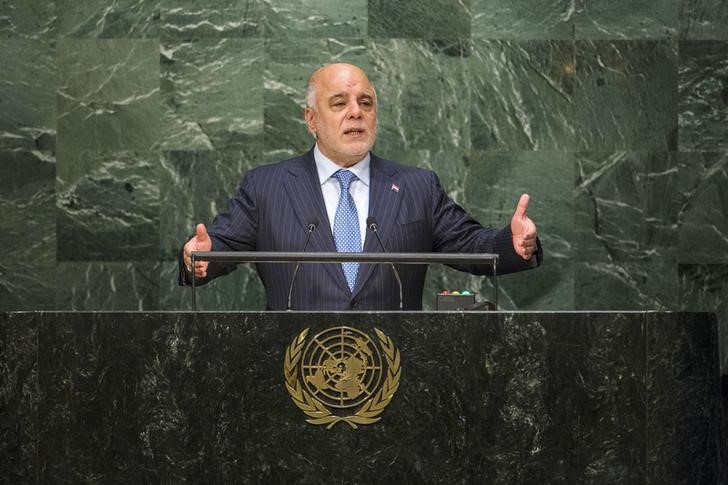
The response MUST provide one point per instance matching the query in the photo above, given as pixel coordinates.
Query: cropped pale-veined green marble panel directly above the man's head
(315, 18)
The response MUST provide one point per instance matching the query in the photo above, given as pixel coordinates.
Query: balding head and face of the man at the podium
(344, 116)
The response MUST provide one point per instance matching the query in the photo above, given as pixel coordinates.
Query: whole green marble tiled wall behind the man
(125, 123)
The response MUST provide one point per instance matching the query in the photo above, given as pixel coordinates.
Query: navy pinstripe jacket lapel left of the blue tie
(304, 190)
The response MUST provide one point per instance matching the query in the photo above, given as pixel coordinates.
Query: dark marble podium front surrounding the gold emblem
(483, 398)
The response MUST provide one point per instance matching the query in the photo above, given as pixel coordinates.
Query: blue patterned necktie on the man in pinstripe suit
(346, 226)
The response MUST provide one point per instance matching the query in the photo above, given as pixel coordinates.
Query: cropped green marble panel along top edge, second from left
(99, 19)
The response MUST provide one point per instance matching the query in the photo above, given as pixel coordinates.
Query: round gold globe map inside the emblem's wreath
(341, 367)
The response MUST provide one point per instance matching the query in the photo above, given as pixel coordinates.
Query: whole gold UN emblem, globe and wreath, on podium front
(341, 370)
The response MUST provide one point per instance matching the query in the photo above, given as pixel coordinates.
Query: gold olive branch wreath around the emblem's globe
(315, 410)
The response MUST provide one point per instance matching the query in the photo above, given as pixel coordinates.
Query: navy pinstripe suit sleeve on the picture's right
(455, 231)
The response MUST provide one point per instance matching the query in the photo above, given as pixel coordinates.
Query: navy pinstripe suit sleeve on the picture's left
(233, 229)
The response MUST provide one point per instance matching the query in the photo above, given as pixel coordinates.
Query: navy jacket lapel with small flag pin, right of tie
(384, 203)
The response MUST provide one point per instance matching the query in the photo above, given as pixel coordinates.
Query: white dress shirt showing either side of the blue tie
(331, 188)
